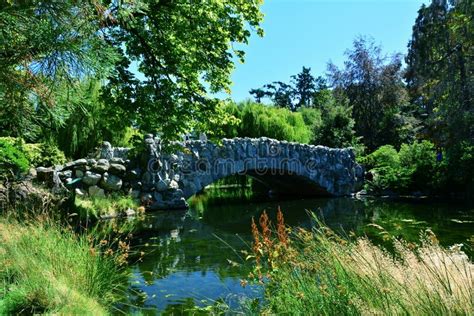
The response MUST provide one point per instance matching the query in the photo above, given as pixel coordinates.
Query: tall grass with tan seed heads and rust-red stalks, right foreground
(319, 273)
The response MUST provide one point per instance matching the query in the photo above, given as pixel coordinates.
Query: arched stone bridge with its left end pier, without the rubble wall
(288, 168)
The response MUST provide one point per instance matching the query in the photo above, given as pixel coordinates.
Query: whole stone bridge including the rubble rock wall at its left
(166, 180)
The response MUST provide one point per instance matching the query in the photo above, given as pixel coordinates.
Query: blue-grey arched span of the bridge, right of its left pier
(290, 167)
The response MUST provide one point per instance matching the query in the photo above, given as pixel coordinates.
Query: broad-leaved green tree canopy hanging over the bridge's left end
(194, 56)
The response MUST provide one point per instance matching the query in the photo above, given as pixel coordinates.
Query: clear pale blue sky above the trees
(312, 32)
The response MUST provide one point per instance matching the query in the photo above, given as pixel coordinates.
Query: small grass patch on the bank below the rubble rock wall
(109, 206)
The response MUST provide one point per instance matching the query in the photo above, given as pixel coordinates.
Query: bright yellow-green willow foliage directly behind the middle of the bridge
(257, 120)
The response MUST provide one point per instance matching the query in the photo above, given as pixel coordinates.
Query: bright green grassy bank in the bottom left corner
(47, 269)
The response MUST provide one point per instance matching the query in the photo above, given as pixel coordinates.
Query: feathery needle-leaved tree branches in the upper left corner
(44, 45)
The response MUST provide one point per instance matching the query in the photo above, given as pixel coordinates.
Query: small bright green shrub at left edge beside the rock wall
(12, 157)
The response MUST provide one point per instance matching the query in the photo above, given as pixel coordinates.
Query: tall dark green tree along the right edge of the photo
(440, 79)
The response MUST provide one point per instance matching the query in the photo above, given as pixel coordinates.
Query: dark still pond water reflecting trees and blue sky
(195, 258)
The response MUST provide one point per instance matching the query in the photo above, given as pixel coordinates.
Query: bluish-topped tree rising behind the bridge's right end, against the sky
(374, 87)
